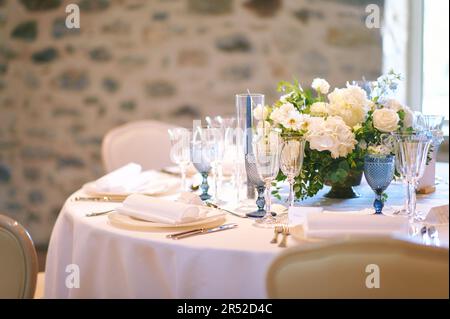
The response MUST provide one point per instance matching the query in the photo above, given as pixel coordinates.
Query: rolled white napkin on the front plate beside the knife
(160, 210)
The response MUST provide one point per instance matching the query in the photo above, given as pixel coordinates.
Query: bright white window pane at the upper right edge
(435, 57)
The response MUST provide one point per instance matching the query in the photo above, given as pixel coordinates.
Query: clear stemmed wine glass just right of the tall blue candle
(267, 148)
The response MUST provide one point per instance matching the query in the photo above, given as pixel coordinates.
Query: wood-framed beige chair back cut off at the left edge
(18, 261)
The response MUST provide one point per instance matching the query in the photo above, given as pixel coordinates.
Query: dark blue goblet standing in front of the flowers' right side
(379, 172)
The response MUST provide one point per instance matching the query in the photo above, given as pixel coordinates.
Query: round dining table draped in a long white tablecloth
(88, 257)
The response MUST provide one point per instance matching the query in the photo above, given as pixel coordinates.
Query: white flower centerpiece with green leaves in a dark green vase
(340, 128)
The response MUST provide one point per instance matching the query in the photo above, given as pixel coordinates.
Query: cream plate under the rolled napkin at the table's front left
(130, 223)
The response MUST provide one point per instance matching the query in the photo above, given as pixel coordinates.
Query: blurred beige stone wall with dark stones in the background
(61, 90)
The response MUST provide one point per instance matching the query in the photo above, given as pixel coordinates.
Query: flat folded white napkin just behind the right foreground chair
(325, 225)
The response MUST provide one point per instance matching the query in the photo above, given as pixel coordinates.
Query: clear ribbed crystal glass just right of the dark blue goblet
(413, 149)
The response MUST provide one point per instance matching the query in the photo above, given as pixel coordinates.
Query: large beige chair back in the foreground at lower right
(346, 269)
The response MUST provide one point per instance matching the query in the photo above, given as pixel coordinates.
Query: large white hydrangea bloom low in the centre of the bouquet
(330, 134)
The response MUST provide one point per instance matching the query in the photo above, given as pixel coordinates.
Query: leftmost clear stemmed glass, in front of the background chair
(180, 154)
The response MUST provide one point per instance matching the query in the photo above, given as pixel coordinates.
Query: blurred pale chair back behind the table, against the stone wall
(144, 142)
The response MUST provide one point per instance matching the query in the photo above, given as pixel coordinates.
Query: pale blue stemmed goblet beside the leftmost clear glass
(203, 153)
